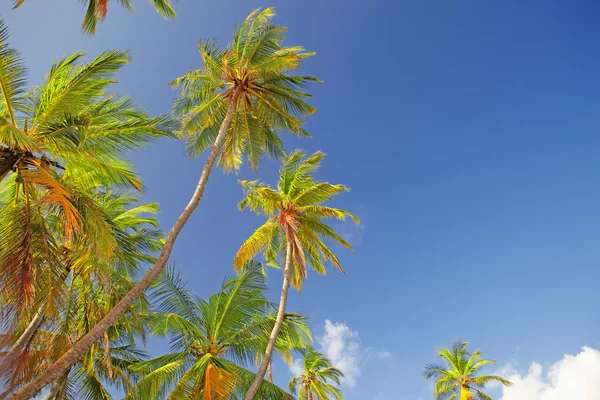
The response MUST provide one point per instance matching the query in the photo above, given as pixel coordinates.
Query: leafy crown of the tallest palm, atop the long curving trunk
(252, 74)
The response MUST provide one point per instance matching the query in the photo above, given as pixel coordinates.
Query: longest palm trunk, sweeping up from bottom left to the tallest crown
(77, 351)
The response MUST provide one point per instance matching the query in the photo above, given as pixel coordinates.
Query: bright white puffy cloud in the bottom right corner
(573, 377)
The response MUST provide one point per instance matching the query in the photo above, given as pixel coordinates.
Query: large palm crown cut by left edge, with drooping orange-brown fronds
(57, 140)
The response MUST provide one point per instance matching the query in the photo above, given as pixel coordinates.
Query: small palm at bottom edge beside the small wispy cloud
(313, 384)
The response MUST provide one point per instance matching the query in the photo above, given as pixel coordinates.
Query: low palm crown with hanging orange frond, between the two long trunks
(212, 340)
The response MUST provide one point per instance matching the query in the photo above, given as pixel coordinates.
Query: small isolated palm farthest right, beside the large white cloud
(458, 380)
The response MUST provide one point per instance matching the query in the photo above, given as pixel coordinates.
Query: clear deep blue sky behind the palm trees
(468, 132)
